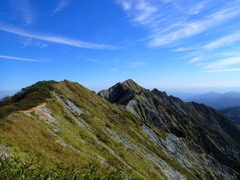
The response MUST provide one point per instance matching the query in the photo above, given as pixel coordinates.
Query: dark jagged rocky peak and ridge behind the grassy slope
(203, 125)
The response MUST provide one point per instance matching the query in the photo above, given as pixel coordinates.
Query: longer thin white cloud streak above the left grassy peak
(55, 39)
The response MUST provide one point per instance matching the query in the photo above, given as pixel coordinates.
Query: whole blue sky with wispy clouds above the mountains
(167, 44)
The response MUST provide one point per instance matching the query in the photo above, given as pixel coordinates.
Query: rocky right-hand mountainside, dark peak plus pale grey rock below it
(198, 137)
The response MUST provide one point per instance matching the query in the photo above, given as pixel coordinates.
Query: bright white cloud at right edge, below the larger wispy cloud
(215, 59)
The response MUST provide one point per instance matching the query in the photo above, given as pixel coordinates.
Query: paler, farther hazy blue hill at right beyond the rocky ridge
(217, 100)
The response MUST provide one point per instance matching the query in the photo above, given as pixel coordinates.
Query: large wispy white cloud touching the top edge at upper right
(174, 20)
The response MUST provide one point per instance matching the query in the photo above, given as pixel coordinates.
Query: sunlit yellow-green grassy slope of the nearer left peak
(63, 140)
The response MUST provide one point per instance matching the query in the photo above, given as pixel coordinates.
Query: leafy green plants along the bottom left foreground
(15, 168)
